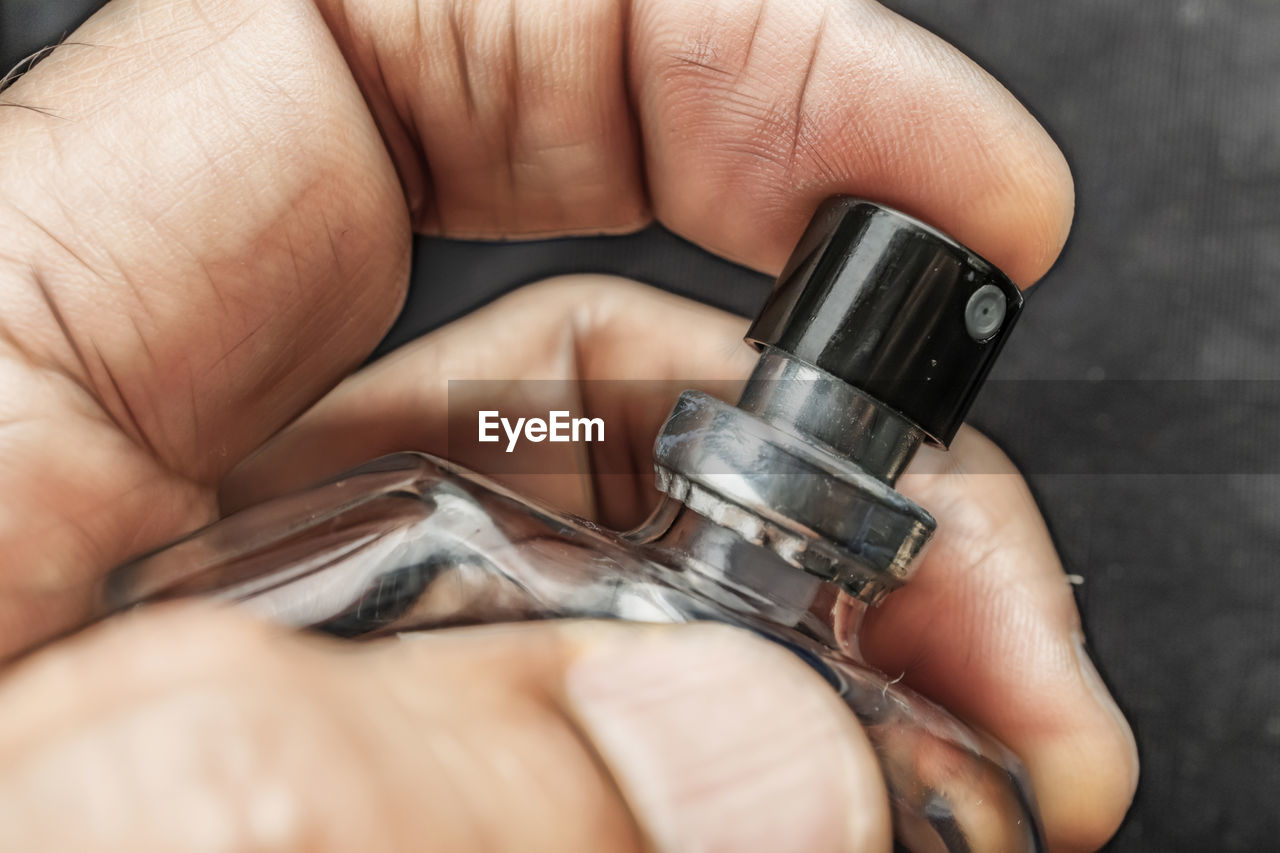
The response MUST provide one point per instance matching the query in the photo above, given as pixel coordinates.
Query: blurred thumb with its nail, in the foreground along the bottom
(568, 737)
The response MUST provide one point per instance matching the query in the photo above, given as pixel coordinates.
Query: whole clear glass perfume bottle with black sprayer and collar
(778, 516)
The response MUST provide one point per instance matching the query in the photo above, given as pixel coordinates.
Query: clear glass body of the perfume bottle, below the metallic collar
(410, 542)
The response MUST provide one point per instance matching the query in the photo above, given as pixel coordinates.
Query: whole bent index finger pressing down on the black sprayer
(516, 120)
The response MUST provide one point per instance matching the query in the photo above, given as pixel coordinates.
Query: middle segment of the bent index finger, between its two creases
(533, 101)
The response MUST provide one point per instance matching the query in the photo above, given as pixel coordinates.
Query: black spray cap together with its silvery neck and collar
(876, 339)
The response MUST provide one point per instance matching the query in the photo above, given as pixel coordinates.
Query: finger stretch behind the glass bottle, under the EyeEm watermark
(624, 352)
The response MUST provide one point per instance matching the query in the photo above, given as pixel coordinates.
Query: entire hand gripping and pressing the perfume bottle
(208, 217)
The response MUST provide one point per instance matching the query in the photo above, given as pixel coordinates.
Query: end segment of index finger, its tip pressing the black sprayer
(813, 97)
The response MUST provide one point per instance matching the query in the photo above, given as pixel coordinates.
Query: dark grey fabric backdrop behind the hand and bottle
(1140, 391)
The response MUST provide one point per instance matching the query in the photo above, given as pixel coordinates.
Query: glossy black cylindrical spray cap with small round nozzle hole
(894, 308)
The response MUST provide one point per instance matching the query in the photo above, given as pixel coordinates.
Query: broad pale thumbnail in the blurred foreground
(724, 742)
